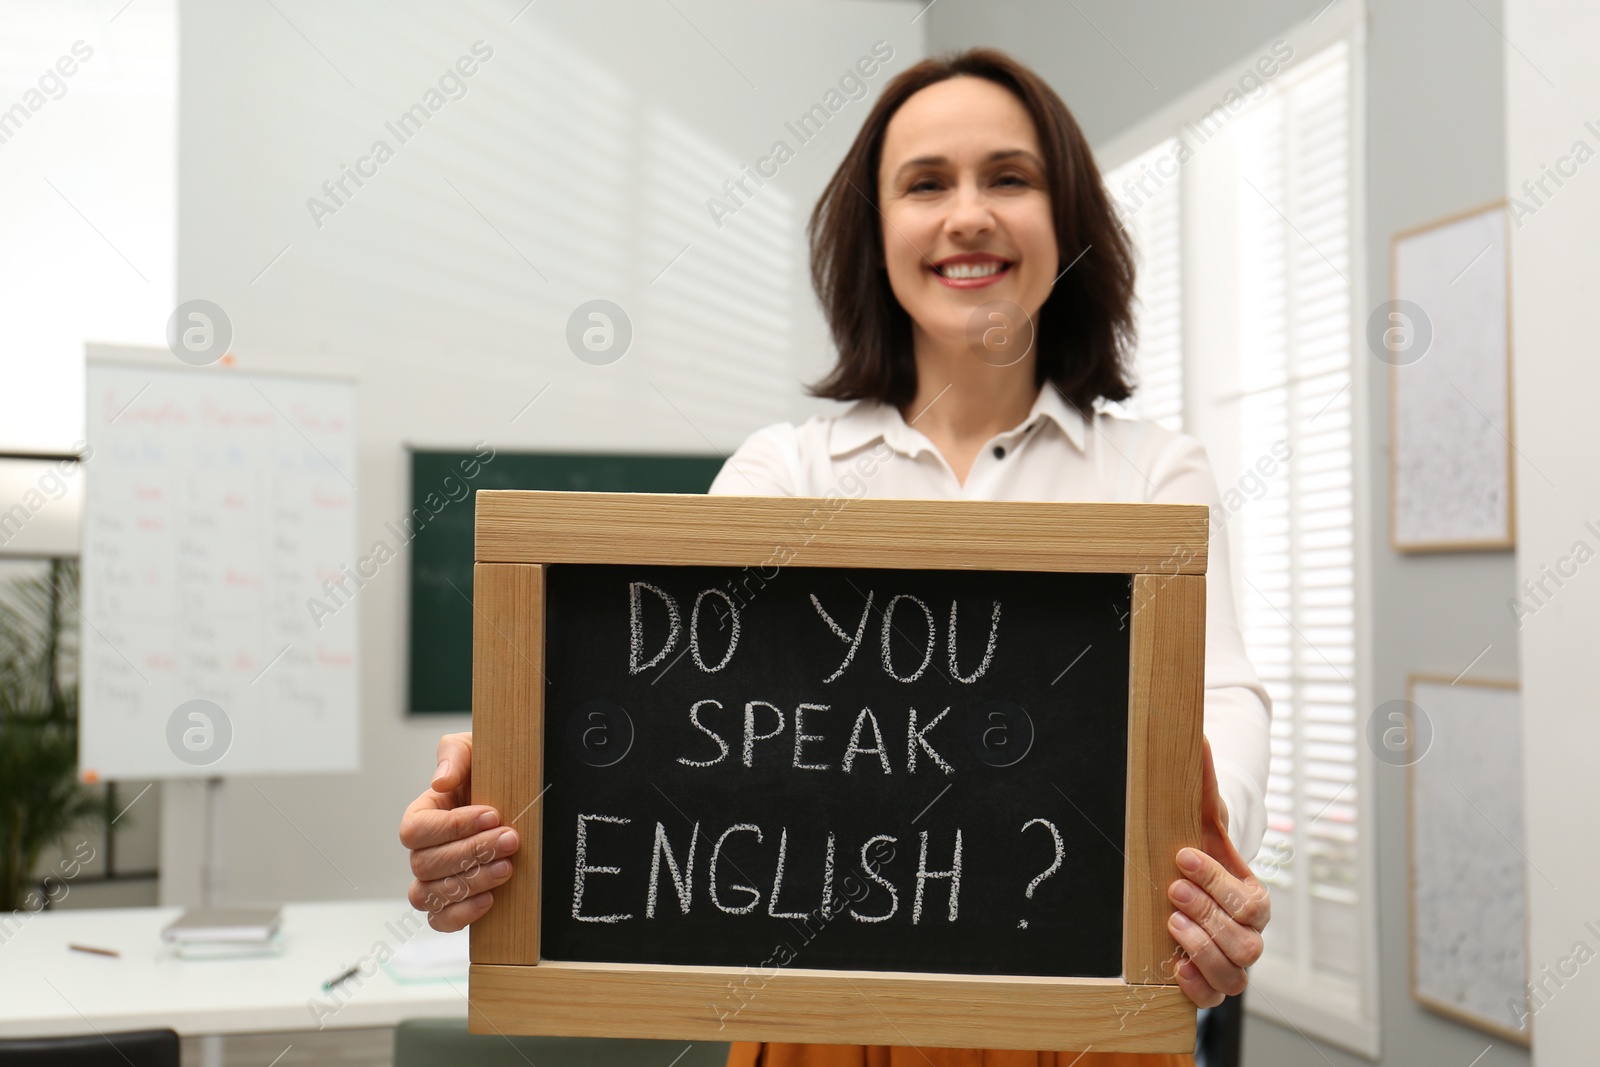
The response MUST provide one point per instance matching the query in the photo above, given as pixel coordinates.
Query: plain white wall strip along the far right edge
(1553, 94)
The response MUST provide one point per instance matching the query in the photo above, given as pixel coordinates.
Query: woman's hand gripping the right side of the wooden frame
(1218, 927)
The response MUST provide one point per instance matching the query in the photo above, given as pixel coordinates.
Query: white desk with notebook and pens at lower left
(49, 989)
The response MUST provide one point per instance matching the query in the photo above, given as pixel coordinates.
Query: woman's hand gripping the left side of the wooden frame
(458, 850)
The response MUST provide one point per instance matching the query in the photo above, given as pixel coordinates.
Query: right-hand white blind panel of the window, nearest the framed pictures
(1298, 540)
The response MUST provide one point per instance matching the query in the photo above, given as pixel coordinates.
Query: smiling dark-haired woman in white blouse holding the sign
(980, 292)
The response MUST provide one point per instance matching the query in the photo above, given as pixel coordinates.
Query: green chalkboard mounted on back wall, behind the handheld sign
(439, 530)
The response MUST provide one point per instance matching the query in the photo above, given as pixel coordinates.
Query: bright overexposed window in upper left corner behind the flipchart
(90, 180)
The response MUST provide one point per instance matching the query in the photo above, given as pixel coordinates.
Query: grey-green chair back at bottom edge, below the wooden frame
(447, 1044)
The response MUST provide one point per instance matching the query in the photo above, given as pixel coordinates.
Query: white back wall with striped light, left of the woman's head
(577, 167)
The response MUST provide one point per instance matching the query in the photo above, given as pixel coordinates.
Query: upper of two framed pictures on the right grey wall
(1446, 335)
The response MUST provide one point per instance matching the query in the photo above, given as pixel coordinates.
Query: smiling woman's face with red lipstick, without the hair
(962, 191)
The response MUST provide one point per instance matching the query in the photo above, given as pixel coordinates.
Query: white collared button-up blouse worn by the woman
(1054, 455)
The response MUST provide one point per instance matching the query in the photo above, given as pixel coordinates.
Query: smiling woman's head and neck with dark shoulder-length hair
(1047, 214)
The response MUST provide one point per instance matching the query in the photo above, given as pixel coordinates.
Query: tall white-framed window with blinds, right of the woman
(1244, 201)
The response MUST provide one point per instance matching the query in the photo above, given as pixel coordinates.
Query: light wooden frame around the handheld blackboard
(1162, 546)
